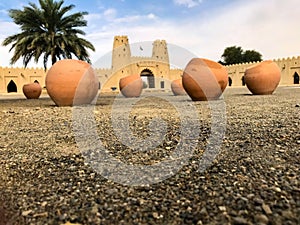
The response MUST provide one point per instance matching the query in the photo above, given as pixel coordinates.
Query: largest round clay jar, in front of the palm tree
(72, 82)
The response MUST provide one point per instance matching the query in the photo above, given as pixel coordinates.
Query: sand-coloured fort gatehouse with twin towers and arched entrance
(155, 67)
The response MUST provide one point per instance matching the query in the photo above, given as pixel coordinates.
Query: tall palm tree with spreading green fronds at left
(48, 31)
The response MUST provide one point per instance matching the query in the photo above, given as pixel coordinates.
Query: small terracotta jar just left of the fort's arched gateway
(131, 86)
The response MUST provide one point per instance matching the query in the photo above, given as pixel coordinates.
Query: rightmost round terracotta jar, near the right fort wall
(262, 78)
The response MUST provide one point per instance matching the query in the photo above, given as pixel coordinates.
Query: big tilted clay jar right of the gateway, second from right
(204, 79)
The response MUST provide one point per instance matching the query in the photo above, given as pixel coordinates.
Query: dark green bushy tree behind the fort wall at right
(234, 55)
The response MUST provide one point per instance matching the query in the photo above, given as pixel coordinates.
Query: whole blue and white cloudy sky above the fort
(203, 27)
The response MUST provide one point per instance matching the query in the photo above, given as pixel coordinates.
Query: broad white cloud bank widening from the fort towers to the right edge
(254, 25)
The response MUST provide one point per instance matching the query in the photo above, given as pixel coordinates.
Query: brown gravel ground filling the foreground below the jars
(45, 177)
